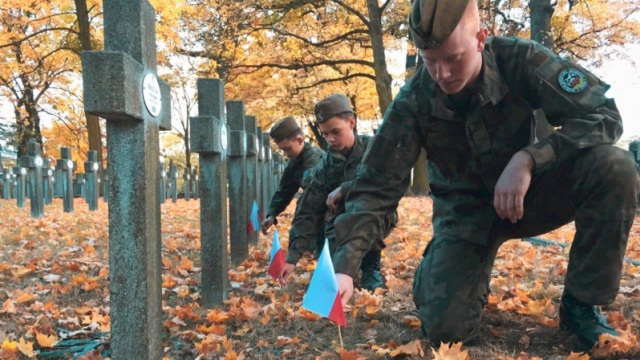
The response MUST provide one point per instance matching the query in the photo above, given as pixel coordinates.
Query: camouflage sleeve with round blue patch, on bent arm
(574, 100)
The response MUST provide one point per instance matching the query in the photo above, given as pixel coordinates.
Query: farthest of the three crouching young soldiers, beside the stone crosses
(296, 175)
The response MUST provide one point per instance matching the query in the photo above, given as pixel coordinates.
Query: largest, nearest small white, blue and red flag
(322, 297)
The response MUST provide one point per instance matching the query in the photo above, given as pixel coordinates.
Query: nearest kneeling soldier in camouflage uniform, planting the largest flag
(471, 108)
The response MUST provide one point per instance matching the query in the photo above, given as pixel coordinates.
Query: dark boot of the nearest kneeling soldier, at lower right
(584, 320)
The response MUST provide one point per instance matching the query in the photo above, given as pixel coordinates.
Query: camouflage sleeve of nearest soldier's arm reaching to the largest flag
(380, 183)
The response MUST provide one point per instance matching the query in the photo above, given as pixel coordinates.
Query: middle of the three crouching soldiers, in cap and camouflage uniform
(324, 197)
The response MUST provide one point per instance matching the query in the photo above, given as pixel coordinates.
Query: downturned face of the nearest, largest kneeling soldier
(457, 62)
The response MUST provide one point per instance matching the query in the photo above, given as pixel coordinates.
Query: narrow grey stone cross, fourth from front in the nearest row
(253, 176)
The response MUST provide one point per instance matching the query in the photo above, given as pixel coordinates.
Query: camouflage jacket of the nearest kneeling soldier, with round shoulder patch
(469, 146)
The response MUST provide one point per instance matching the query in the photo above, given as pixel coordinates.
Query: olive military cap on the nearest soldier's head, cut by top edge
(432, 21)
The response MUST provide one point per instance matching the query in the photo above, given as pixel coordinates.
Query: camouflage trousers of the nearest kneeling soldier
(598, 190)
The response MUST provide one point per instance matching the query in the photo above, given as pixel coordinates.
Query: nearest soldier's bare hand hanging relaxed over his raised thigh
(512, 186)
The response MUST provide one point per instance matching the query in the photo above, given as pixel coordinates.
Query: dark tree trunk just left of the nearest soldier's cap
(383, 79)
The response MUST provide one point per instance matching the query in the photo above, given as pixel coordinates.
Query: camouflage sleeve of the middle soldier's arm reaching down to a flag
(309, 216)
